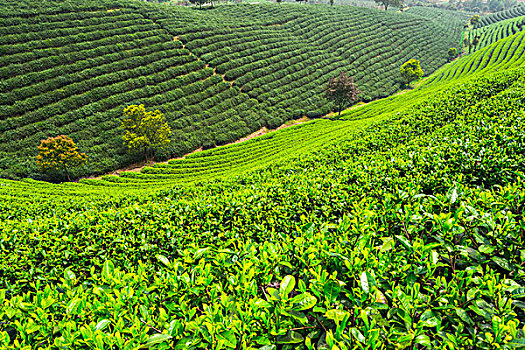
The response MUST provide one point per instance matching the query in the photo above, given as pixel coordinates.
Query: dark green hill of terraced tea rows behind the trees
(218, 75)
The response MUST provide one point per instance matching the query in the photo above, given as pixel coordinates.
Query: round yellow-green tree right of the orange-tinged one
(145, 131)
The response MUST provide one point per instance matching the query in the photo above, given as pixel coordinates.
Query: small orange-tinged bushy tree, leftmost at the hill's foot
(59, 154)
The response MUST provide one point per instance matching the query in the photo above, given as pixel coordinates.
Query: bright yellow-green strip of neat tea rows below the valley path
(228, 161)
